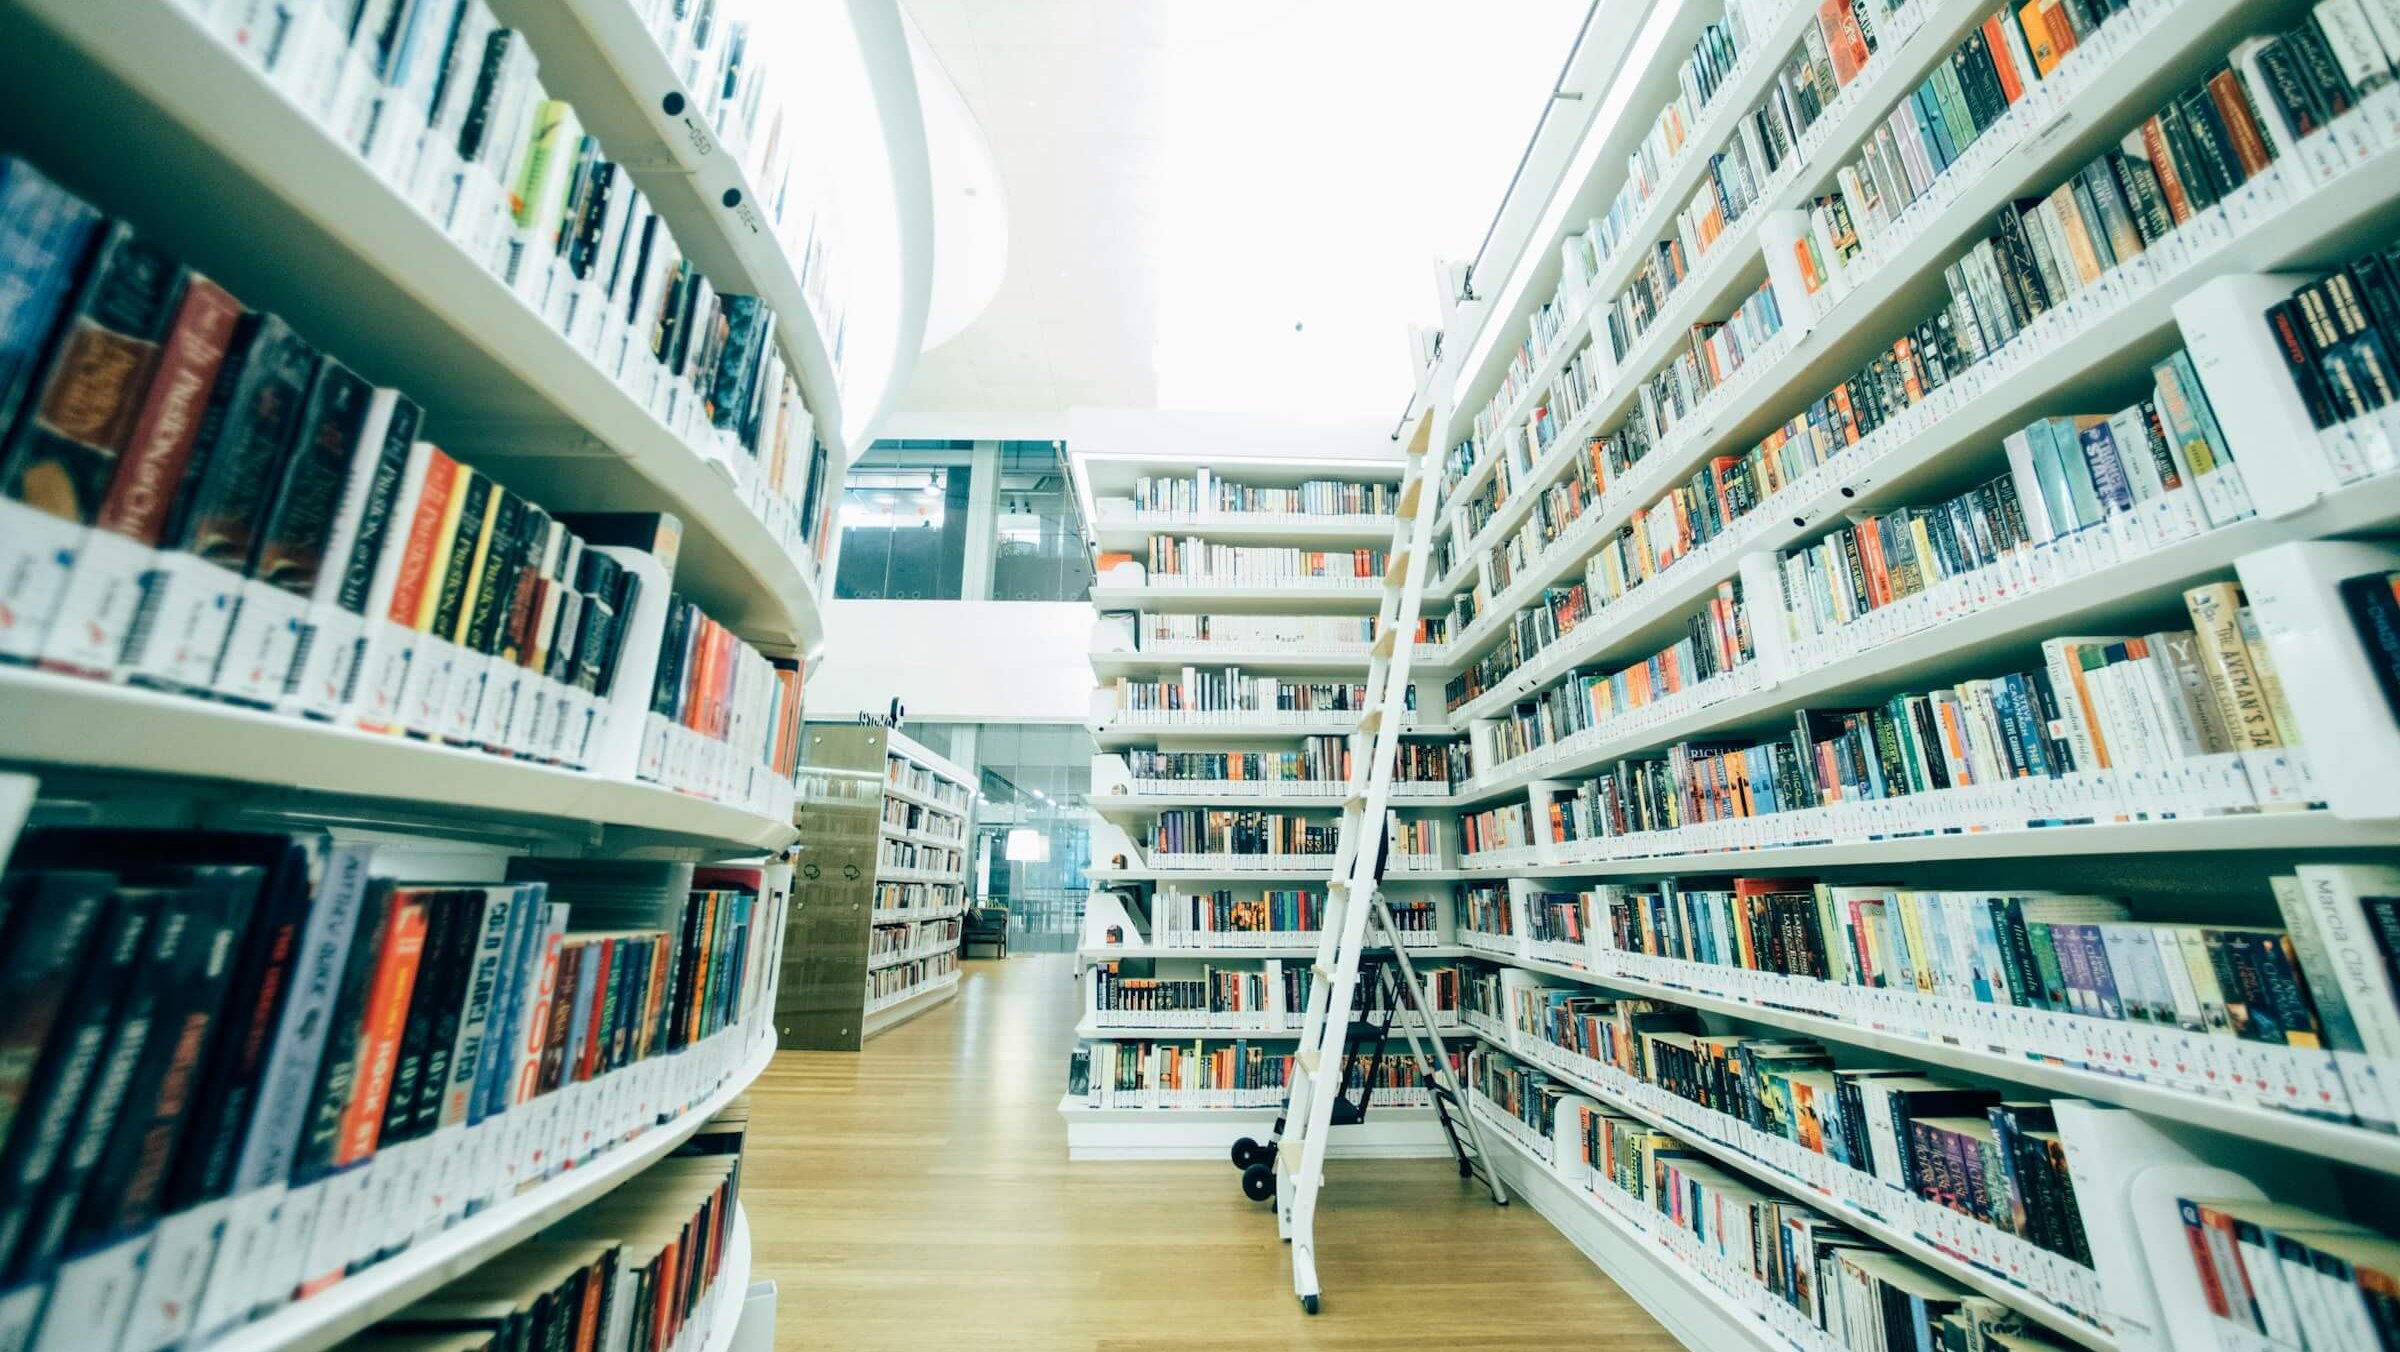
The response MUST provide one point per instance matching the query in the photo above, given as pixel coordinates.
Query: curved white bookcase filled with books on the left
(414, 501)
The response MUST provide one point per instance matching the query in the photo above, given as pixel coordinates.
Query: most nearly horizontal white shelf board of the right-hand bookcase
(2262, 832)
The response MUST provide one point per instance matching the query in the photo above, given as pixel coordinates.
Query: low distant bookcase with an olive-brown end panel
(884, 878)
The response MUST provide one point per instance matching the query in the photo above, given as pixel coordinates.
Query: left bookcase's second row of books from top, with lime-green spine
(448, 107)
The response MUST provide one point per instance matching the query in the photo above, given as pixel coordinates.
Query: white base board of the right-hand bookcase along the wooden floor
(1693, 1310)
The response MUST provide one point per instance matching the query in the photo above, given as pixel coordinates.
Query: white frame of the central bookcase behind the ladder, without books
(1201, 1123)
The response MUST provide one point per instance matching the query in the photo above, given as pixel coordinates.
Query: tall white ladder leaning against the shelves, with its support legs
(1355, 902)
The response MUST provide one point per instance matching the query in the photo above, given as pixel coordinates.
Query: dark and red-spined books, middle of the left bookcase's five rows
(224, 510)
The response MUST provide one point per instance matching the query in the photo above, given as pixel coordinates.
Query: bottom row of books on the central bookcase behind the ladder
(1220, 1075)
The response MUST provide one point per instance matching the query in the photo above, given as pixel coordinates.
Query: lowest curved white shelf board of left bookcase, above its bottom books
(380, 1291)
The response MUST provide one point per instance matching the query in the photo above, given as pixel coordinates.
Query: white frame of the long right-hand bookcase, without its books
(2092, 354)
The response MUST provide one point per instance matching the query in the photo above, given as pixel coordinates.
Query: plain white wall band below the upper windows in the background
(956, 662)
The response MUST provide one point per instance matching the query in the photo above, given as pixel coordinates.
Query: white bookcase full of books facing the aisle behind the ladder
(1225, 724)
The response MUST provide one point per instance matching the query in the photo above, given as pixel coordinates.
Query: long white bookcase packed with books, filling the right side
(1921, 614)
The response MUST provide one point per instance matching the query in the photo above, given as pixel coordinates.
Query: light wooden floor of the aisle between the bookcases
(920, 1197)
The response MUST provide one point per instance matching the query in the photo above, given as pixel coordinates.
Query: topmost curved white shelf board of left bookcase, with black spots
(599, 56)
